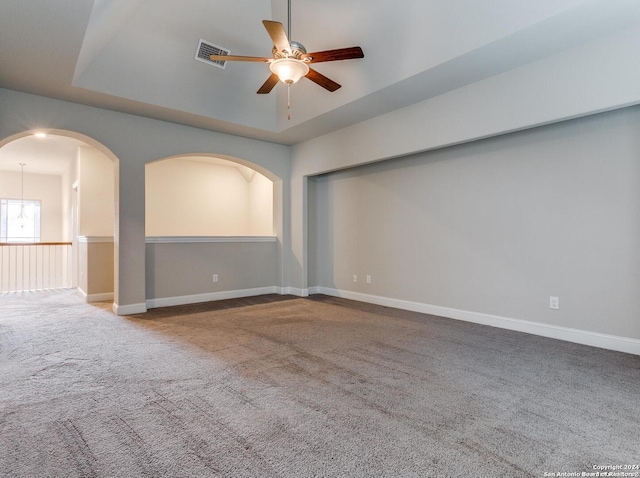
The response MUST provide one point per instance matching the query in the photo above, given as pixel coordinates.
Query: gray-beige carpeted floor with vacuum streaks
(282, 386)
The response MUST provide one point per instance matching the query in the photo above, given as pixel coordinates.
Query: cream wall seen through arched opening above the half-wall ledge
(197, 198)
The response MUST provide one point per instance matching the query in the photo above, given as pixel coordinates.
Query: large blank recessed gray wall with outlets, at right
(495, 226)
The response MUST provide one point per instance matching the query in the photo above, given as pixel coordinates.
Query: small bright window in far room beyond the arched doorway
(19, 220)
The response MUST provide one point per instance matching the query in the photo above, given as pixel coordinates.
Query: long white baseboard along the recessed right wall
(611, 342)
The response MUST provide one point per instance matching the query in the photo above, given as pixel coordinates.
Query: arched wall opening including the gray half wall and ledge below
(189, 258)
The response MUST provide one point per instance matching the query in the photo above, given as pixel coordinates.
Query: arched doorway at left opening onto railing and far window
(74, 179)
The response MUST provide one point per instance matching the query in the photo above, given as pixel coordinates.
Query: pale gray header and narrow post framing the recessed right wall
(576, 82)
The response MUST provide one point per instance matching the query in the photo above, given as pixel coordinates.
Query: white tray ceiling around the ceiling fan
(137, 56)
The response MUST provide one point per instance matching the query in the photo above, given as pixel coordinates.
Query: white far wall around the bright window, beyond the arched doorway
(44, 187)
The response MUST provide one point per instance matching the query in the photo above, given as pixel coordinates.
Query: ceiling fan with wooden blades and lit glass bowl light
(291, 61)
